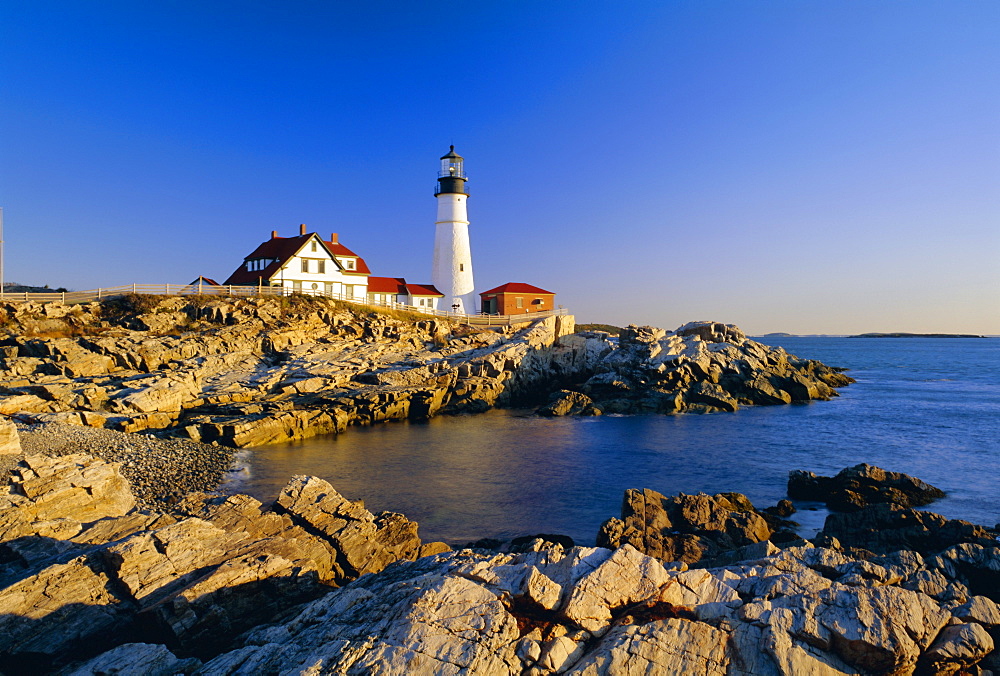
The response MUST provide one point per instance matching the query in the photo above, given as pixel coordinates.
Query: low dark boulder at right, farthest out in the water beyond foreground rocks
(856, 487)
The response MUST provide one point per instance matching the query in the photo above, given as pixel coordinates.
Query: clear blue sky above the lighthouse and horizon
(810, 167)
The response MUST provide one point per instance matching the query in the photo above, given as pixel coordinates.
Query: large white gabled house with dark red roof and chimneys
(305, 264)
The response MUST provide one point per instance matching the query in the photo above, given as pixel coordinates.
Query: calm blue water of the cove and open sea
(927, 407)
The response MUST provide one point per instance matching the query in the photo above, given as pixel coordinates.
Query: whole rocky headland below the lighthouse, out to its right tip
(250, 371)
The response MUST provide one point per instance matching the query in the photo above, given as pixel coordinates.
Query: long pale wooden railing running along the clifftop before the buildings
(247, 291)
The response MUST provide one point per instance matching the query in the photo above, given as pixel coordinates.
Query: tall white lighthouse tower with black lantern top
(452, 271)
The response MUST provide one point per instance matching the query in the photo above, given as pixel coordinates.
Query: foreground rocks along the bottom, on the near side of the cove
(93, 583)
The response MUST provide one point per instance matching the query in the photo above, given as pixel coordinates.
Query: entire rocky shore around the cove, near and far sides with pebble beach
(115, 557)
